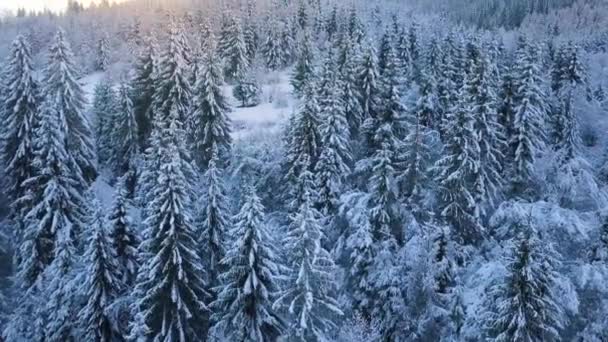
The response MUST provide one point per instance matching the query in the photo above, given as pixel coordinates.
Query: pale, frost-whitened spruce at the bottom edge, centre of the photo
(308, 292)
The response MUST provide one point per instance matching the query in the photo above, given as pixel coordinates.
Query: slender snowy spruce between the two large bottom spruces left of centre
(213, 219)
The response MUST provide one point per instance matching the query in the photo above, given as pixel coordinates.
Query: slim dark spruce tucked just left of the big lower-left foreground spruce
(123, 236)
